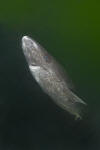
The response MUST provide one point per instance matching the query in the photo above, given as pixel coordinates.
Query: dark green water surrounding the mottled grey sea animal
(70, 31)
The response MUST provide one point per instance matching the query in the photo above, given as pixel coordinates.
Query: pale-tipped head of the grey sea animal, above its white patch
(35, 54)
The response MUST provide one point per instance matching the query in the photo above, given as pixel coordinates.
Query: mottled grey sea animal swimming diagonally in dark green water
(51, 76)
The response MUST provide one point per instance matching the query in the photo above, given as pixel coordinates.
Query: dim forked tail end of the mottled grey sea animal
(74, 105)
